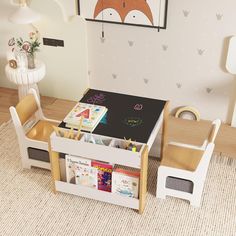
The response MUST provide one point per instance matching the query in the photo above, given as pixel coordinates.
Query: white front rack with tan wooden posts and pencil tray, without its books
(107, 153)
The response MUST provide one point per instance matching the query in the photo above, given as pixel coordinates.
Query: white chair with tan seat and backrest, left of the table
(33, 130)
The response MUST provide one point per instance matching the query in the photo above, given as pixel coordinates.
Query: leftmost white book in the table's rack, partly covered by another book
(72, 163)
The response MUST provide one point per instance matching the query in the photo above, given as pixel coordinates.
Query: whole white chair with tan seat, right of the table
(183, 169)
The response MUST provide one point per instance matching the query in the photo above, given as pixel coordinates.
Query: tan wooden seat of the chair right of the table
(181, 157)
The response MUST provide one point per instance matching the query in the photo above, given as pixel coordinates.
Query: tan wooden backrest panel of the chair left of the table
(26, 108)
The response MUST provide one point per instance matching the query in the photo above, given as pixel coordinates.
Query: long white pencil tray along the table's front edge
(108, 153)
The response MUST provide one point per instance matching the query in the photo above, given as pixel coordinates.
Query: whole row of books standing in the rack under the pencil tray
(102, 176)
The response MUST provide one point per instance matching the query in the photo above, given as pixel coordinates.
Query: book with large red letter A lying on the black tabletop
(90, 113)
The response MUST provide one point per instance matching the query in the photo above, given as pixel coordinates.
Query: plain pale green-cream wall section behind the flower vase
(66, 75)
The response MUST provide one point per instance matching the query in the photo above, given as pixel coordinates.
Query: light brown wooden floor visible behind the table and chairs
(179, 130)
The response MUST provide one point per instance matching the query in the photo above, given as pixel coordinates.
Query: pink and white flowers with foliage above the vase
(30, 47)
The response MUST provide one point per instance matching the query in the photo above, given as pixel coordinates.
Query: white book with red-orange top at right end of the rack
(125, 183)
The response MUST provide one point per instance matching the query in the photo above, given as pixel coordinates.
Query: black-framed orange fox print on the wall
(148, 13)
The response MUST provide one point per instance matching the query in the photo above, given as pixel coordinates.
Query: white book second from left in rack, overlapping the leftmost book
(86, 176)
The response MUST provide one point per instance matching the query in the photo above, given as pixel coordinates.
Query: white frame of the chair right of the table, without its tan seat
(197, 176)
